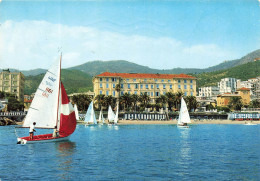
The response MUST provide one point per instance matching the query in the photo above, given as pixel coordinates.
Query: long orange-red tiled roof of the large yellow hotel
(141, 75)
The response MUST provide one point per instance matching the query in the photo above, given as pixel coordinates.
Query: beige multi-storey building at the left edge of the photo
(12, 82)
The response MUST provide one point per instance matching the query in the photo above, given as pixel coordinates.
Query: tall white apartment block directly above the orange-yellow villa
(227, 85)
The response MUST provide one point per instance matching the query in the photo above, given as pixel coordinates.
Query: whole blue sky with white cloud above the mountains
(158, 34)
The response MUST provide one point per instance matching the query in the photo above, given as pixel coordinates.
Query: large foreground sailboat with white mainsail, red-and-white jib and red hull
(50, 109)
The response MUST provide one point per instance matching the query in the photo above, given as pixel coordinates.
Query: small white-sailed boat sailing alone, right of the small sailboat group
(184, 116)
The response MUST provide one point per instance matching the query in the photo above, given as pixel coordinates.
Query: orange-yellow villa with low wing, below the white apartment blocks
(244, 93)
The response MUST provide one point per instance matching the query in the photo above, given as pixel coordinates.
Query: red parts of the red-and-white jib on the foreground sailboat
(67, 122)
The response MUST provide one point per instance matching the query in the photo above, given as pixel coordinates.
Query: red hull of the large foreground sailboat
(40, 139)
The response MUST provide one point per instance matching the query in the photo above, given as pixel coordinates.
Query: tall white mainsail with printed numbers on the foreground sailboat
(43, 109)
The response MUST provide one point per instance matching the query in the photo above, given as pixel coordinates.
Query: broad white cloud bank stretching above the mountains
(35, 44)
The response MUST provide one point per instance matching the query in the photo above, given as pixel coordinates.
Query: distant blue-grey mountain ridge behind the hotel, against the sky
(122, 66)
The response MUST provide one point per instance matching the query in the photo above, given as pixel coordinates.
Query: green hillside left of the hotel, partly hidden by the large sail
(73, 80)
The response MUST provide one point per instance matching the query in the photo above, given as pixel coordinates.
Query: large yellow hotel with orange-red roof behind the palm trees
(138, 83)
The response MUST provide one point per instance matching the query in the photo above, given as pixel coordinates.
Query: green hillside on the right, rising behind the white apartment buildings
(243, 72)
